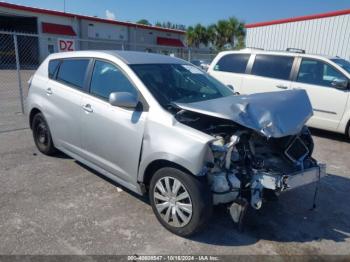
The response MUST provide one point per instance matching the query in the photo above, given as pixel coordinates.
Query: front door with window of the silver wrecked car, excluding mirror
(112, 136)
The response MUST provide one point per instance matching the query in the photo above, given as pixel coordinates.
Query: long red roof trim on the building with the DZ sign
(90, 18)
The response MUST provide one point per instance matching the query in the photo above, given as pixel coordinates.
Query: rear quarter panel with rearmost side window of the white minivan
(230, 70)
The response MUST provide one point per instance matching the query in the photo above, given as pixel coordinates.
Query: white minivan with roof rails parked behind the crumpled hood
(325, 79)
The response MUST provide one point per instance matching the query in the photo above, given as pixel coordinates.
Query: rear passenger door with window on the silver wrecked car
(64, 90)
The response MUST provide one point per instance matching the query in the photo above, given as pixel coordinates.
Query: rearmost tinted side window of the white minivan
(234, 63)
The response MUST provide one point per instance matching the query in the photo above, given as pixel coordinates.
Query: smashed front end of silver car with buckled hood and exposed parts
(249, 162)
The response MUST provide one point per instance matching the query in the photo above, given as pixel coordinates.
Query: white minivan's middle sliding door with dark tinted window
(268, 73)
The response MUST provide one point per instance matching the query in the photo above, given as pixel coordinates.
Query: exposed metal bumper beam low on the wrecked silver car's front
(283, 182)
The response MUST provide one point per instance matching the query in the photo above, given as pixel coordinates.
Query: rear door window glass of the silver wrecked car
(72, 72)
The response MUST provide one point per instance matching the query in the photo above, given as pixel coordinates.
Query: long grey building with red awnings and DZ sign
(60, 31)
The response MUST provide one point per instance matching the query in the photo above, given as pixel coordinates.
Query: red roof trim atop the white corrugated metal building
(299, 18)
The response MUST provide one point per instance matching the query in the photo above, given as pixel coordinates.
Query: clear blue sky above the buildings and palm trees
(191, 12)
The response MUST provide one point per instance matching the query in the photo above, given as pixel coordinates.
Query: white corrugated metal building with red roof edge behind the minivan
(327, 34)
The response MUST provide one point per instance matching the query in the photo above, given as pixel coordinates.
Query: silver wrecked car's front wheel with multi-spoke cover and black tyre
(181, 202)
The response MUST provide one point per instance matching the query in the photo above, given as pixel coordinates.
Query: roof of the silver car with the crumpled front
(128, 57)
